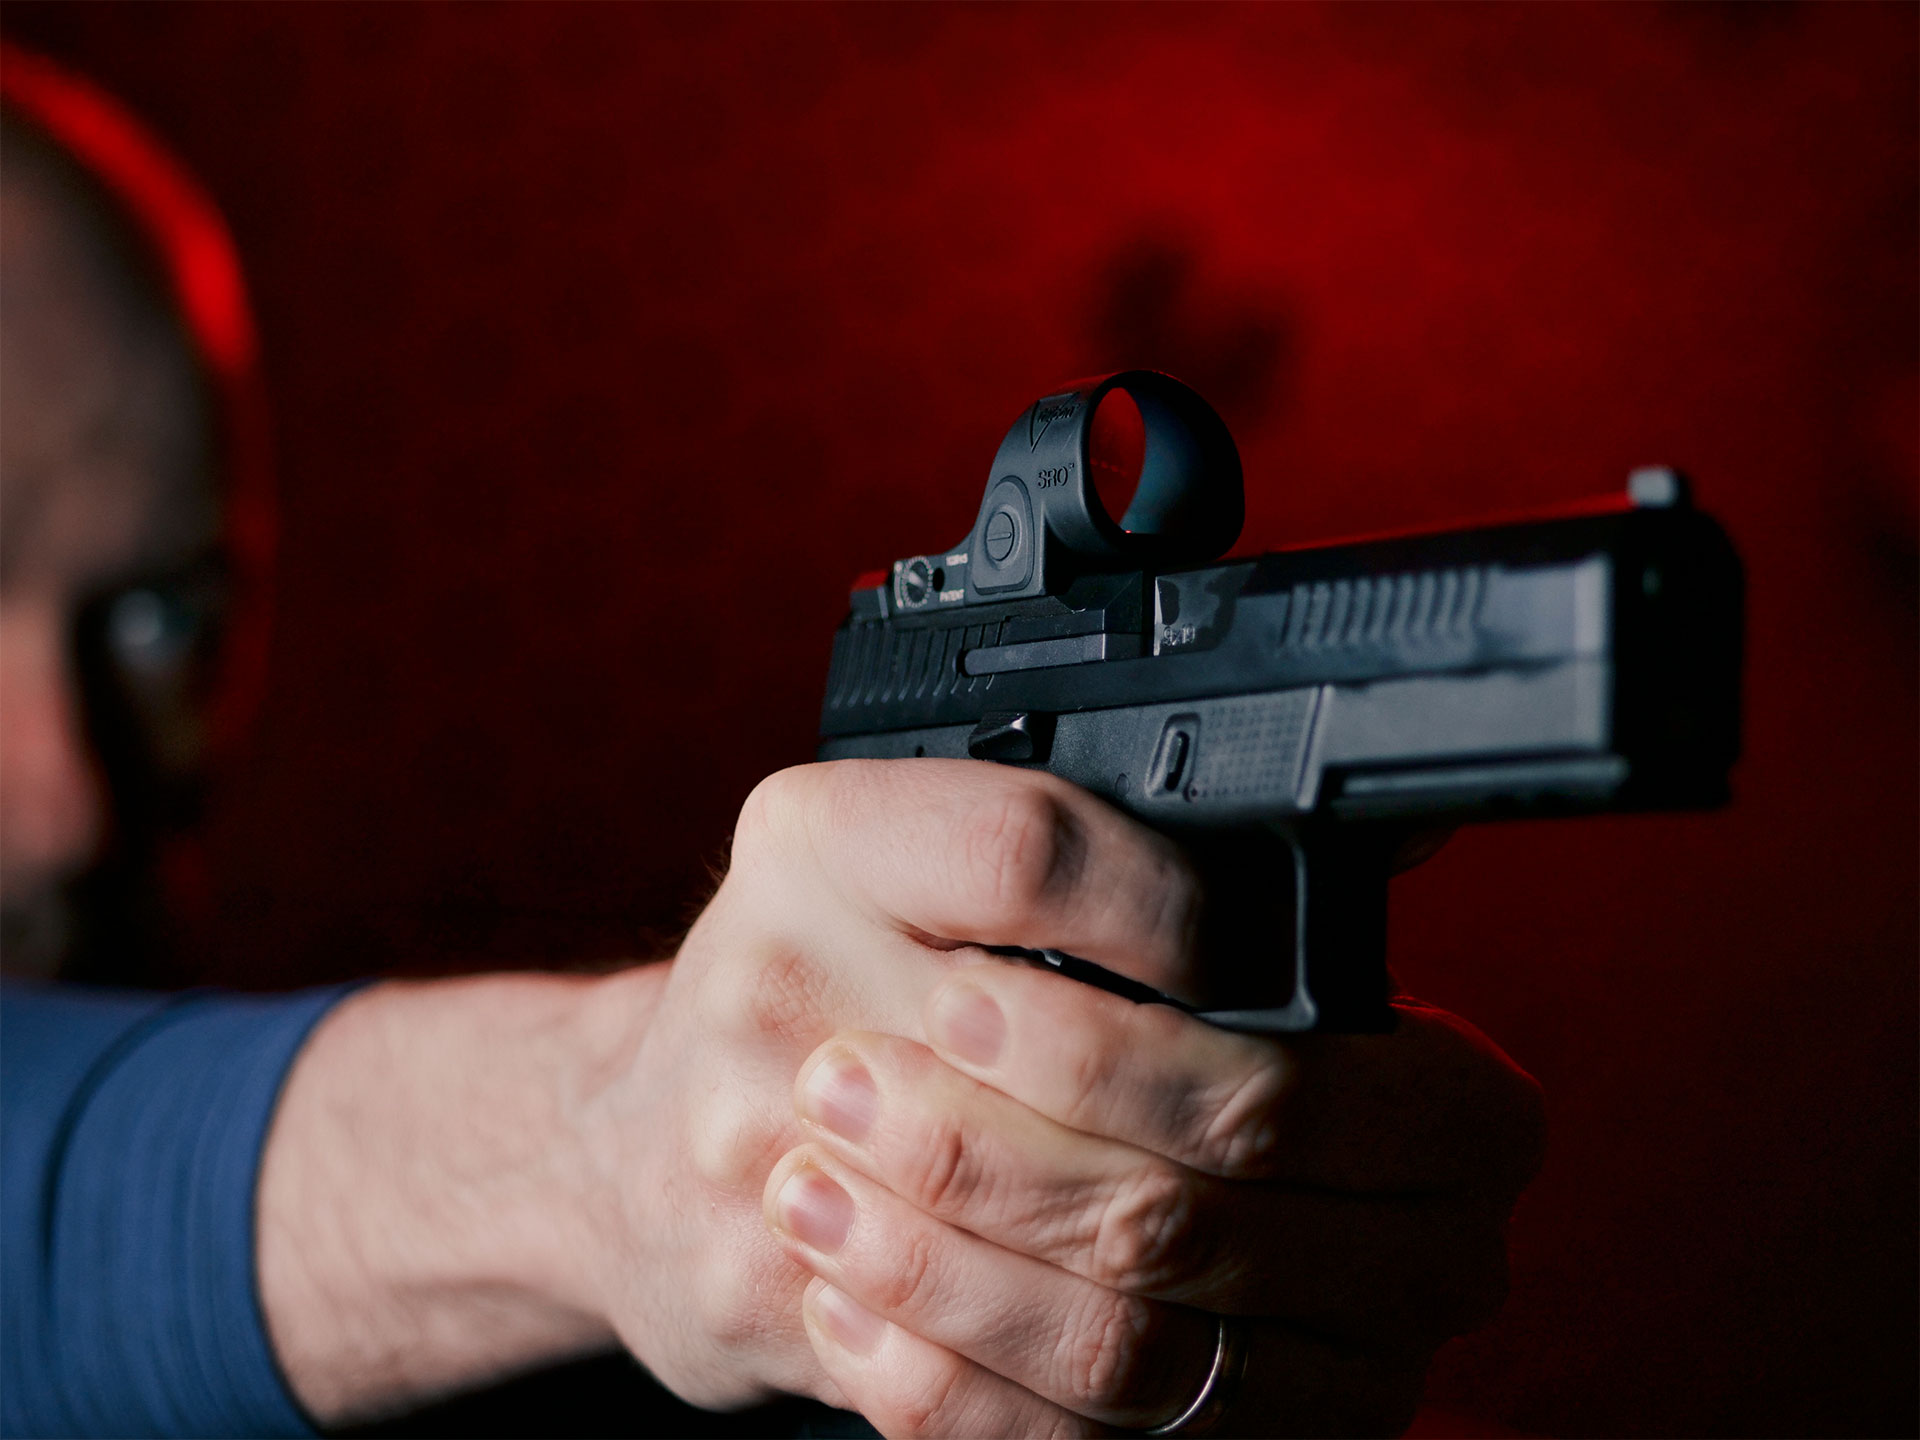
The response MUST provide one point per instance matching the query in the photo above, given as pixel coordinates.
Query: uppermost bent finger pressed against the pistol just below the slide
(978, 853)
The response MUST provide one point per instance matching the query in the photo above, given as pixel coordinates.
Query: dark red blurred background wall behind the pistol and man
(612, 343)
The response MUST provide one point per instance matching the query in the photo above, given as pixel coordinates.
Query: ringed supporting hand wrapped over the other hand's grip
(1032, 1226)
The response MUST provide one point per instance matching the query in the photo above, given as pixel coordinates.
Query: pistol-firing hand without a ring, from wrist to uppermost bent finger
(855, 890)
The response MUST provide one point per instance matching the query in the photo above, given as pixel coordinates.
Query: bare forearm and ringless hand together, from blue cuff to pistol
(471, 1178)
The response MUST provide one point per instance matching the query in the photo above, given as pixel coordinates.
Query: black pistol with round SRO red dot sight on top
(1295, 717)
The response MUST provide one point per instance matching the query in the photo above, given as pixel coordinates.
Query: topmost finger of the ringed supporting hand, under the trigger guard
(1433, 1107)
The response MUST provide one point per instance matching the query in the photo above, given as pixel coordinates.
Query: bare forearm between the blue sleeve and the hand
(431, 1203)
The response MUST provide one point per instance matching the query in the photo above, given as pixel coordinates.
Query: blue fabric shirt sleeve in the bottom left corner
(132, 1130)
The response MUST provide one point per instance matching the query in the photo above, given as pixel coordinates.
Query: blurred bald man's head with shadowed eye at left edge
(110, 579)
